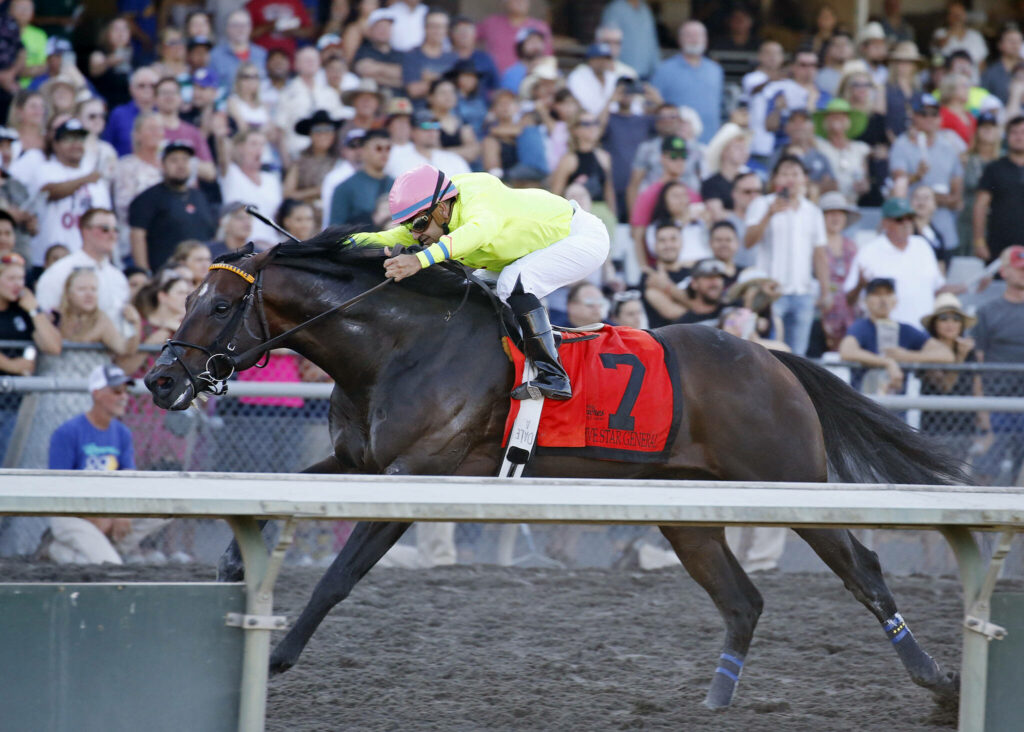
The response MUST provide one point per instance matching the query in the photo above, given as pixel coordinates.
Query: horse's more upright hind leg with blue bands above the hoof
(708, 559)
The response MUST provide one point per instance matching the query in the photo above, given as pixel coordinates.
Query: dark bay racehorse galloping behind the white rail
(422, 387)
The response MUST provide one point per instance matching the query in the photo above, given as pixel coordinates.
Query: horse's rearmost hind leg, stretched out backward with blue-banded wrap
(859, 568)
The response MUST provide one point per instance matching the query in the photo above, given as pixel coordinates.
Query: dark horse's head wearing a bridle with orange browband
(224, 322)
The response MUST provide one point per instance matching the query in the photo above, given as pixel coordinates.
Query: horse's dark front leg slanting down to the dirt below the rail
(370, 541)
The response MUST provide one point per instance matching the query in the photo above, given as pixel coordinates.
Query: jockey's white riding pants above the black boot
(564, 264)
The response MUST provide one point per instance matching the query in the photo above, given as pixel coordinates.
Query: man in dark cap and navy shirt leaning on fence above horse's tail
(878, 342)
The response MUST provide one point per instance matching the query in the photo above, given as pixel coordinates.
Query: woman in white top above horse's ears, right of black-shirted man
(244, 180)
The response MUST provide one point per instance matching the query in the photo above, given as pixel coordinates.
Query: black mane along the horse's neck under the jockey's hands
(335, 254)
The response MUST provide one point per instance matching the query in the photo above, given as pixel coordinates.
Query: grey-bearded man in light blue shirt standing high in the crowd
(692, 79)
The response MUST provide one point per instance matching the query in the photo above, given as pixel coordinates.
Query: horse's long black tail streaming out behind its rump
(866, 443)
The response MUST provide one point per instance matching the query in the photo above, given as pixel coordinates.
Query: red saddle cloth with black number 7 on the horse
(626, 404)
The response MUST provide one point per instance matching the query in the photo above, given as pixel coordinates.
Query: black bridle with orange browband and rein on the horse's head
(222, 362)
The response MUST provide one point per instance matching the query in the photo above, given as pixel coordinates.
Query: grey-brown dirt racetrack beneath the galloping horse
(490, 649)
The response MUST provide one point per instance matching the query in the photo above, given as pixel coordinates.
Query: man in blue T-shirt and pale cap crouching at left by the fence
(96, 441)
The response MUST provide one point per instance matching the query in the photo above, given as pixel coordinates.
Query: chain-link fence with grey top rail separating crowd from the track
(282, 427)
